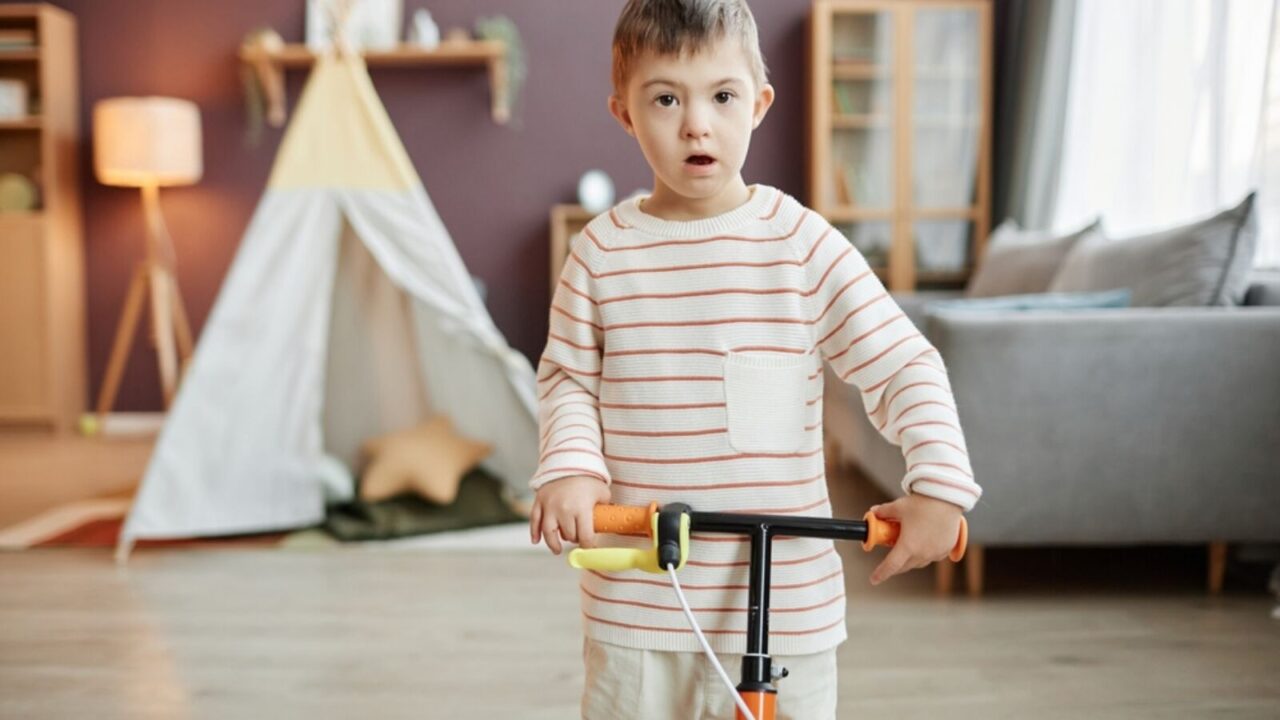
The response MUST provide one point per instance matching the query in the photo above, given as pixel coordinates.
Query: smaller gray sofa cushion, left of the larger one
(1021, 262)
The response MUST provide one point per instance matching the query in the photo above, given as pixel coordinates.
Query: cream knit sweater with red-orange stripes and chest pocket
(684, 364)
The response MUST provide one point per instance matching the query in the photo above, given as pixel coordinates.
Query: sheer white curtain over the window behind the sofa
(1164, 112)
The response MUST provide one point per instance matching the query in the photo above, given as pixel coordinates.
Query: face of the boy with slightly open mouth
(694, 116)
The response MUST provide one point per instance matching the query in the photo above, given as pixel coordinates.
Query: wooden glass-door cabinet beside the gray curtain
(899, 133)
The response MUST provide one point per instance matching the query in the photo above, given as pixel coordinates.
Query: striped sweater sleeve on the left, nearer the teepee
(569, 380)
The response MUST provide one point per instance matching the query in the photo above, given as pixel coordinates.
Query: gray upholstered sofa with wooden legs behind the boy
(1104, 427)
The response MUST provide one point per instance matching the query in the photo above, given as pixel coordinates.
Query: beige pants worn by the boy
(624, 685)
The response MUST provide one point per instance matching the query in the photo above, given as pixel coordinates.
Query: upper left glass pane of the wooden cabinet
(862, 107)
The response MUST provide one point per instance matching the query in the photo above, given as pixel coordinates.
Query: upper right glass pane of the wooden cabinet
(947, 119)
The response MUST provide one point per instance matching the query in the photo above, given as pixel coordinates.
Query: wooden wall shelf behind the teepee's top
(491, 54)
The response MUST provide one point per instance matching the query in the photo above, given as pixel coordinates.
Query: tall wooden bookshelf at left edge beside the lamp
(43, 327)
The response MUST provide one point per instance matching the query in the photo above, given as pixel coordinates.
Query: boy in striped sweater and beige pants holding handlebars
(684, 364)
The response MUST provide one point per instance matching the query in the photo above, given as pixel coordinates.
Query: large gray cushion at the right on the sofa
(1201, 263)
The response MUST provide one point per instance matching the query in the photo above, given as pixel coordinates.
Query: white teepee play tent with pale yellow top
(348, 313)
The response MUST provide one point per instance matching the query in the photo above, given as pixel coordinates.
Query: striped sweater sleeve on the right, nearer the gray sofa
(872, 345)
